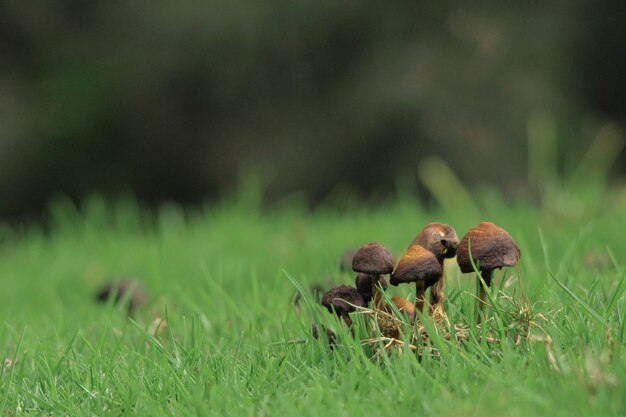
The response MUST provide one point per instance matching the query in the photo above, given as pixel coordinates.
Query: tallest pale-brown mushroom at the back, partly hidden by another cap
(442, 241)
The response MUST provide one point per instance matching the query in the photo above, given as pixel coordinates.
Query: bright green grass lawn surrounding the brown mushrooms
(220, 277)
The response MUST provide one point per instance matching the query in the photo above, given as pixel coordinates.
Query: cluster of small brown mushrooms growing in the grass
(483, 248)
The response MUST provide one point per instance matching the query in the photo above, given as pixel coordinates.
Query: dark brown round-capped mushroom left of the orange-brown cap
(373, 259)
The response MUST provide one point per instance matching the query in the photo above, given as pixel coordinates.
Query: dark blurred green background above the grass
(178, 100)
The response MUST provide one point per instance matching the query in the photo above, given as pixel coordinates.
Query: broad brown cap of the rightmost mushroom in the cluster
(491, 246)
